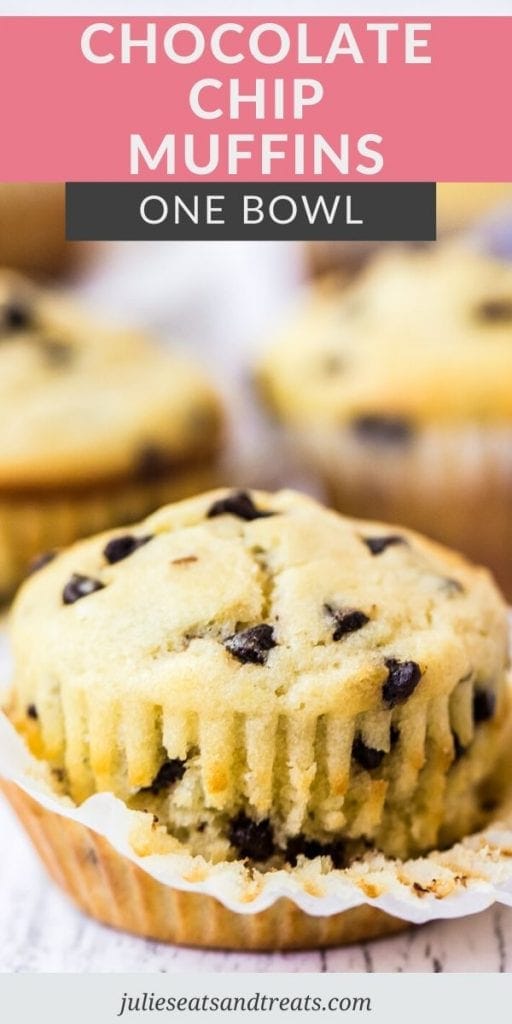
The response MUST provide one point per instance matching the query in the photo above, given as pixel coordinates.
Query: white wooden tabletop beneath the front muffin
(40, 930)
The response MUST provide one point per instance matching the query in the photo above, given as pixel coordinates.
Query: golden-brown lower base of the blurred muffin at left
(36, 523)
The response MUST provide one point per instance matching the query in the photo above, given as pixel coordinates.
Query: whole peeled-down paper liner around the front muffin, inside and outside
(91, 852)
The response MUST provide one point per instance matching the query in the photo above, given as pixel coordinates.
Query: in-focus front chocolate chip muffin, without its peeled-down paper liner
(271, 680)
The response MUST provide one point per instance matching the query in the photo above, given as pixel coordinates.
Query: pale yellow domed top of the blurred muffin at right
(421, 336)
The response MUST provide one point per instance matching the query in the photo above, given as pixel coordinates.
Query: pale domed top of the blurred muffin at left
(80, 404)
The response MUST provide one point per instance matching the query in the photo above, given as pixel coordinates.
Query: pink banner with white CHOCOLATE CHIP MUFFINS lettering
(317, 99)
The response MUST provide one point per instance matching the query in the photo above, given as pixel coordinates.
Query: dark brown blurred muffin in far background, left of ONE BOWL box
(33, 230)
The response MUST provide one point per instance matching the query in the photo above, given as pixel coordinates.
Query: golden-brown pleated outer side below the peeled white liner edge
(117, 892)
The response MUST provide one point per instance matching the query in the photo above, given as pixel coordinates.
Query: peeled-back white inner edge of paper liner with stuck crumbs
(464, 880)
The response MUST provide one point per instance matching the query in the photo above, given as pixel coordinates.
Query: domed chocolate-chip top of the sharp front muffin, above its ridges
(258, 604)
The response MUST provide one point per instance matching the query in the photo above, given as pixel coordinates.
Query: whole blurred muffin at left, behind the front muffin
(97, 426)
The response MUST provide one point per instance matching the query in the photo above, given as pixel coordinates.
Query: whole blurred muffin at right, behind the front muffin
(398, 391)
